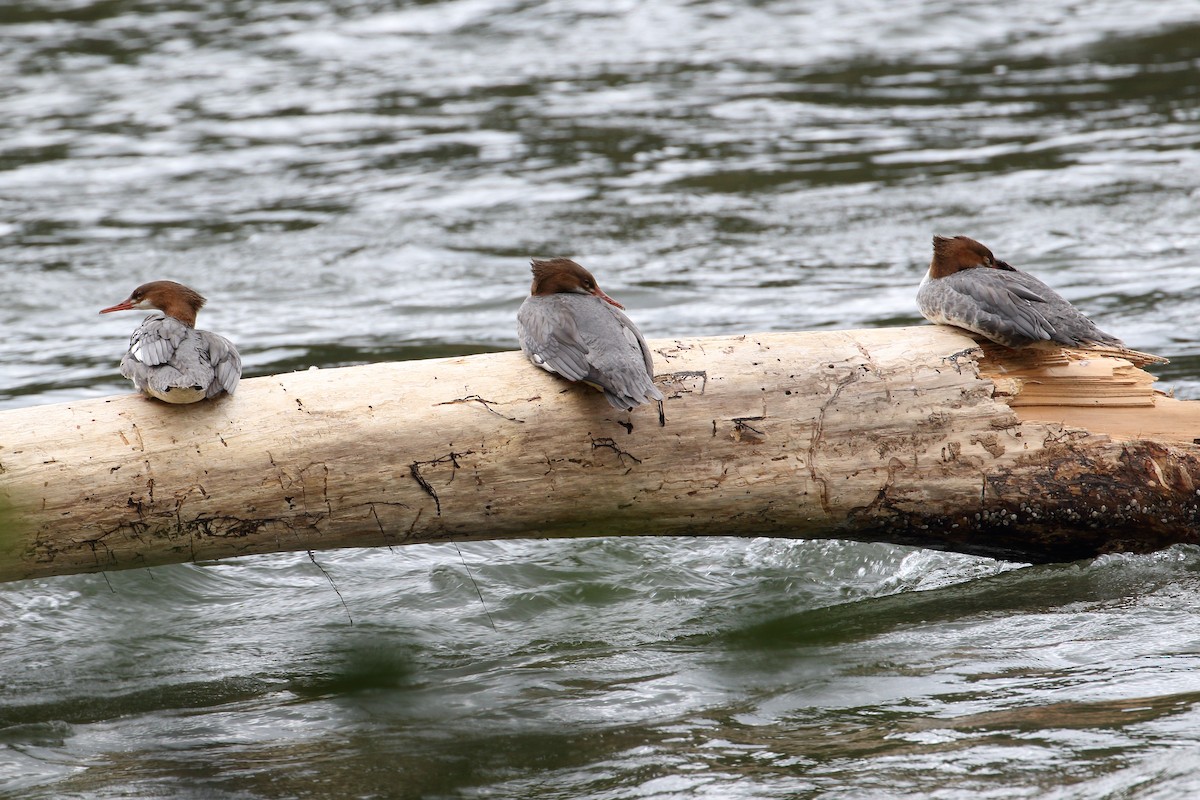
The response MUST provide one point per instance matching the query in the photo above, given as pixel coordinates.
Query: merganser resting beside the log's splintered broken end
(968, 287)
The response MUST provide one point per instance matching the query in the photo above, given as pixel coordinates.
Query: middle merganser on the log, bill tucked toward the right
(569, 327)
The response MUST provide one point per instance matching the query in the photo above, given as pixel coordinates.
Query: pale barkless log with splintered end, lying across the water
(913, 436)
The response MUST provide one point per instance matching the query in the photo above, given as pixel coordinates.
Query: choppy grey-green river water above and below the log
(364, 182)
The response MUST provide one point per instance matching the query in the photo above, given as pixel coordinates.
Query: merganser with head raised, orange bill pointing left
(169, 358)
